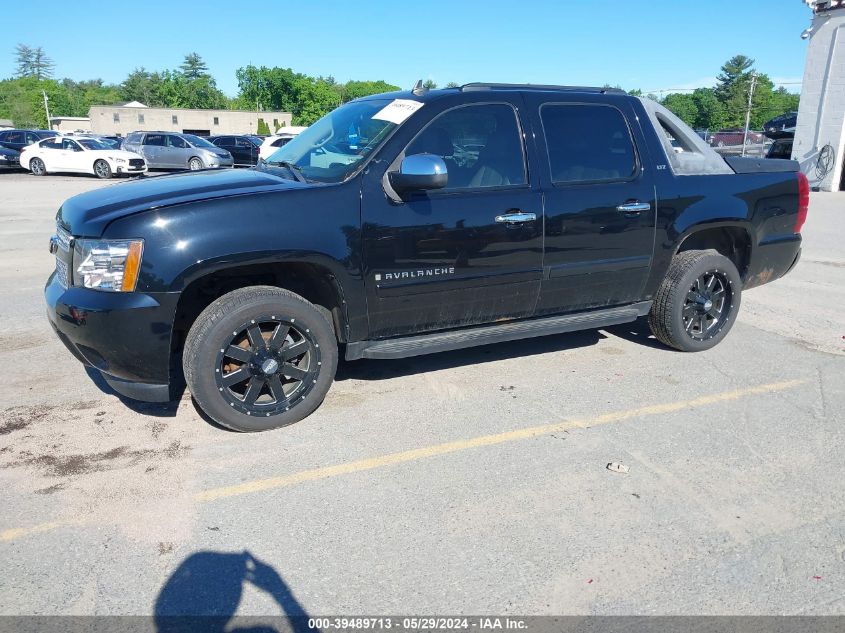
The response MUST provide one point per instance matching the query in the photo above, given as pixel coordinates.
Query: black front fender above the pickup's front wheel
(185, 242)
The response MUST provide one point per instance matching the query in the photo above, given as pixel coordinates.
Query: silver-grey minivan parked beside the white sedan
(171, 150)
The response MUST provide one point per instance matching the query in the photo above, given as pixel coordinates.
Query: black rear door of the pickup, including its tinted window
(599, 194)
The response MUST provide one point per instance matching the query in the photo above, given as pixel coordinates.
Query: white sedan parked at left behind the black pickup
(81, 154)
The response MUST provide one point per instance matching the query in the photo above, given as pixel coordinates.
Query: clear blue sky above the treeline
(647, 44)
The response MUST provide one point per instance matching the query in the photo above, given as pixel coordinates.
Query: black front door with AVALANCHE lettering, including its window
(467, 254)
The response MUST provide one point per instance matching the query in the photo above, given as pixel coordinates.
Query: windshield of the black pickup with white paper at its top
(331, 149)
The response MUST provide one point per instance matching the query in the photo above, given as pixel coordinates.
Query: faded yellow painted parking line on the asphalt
(440, 449)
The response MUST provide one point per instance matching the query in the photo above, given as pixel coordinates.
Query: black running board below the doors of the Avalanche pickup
(498, 333)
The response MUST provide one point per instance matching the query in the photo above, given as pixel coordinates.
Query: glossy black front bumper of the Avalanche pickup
(126, 336)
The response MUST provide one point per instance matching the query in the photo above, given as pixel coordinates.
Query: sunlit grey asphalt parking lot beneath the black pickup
(468, 482)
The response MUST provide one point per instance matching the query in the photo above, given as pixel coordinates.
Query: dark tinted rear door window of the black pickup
(588, 143)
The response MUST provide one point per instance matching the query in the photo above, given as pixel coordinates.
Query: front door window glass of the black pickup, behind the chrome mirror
(480, 145)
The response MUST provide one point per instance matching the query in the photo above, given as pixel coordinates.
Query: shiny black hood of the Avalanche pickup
(87, 214)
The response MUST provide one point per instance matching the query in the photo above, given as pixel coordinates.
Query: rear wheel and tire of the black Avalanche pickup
(698, 301)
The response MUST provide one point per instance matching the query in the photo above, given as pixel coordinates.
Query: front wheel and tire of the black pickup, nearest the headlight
(260, 358)
